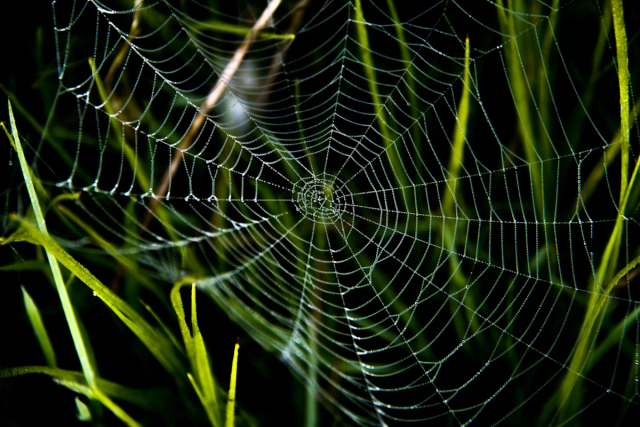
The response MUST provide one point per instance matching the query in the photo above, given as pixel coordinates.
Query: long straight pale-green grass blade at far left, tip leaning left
(69, 312)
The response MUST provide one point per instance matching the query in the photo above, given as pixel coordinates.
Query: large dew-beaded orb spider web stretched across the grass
(410, 255)
